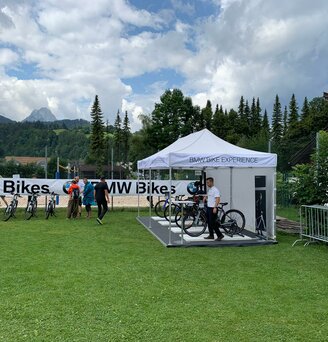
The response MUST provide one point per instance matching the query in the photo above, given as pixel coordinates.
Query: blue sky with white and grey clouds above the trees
(61, 53)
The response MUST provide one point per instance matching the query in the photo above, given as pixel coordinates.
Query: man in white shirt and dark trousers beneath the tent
(213, 200)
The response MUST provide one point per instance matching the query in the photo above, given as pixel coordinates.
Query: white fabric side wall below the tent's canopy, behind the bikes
(237, 186)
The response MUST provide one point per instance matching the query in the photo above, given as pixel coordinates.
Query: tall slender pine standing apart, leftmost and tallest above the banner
(97, 136)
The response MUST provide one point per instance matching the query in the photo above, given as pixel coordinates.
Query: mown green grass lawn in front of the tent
(73, 280)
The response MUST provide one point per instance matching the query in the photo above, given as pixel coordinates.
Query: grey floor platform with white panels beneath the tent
(160, 229)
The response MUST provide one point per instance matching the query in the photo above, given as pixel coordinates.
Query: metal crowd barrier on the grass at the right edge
(313, 224)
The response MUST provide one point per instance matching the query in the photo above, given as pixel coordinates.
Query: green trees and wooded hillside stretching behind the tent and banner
(290, 131)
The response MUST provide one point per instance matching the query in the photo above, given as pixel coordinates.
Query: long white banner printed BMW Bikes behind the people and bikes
(117, 187)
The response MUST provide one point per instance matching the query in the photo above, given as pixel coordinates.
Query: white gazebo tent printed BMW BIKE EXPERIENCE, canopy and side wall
(233, 168)
